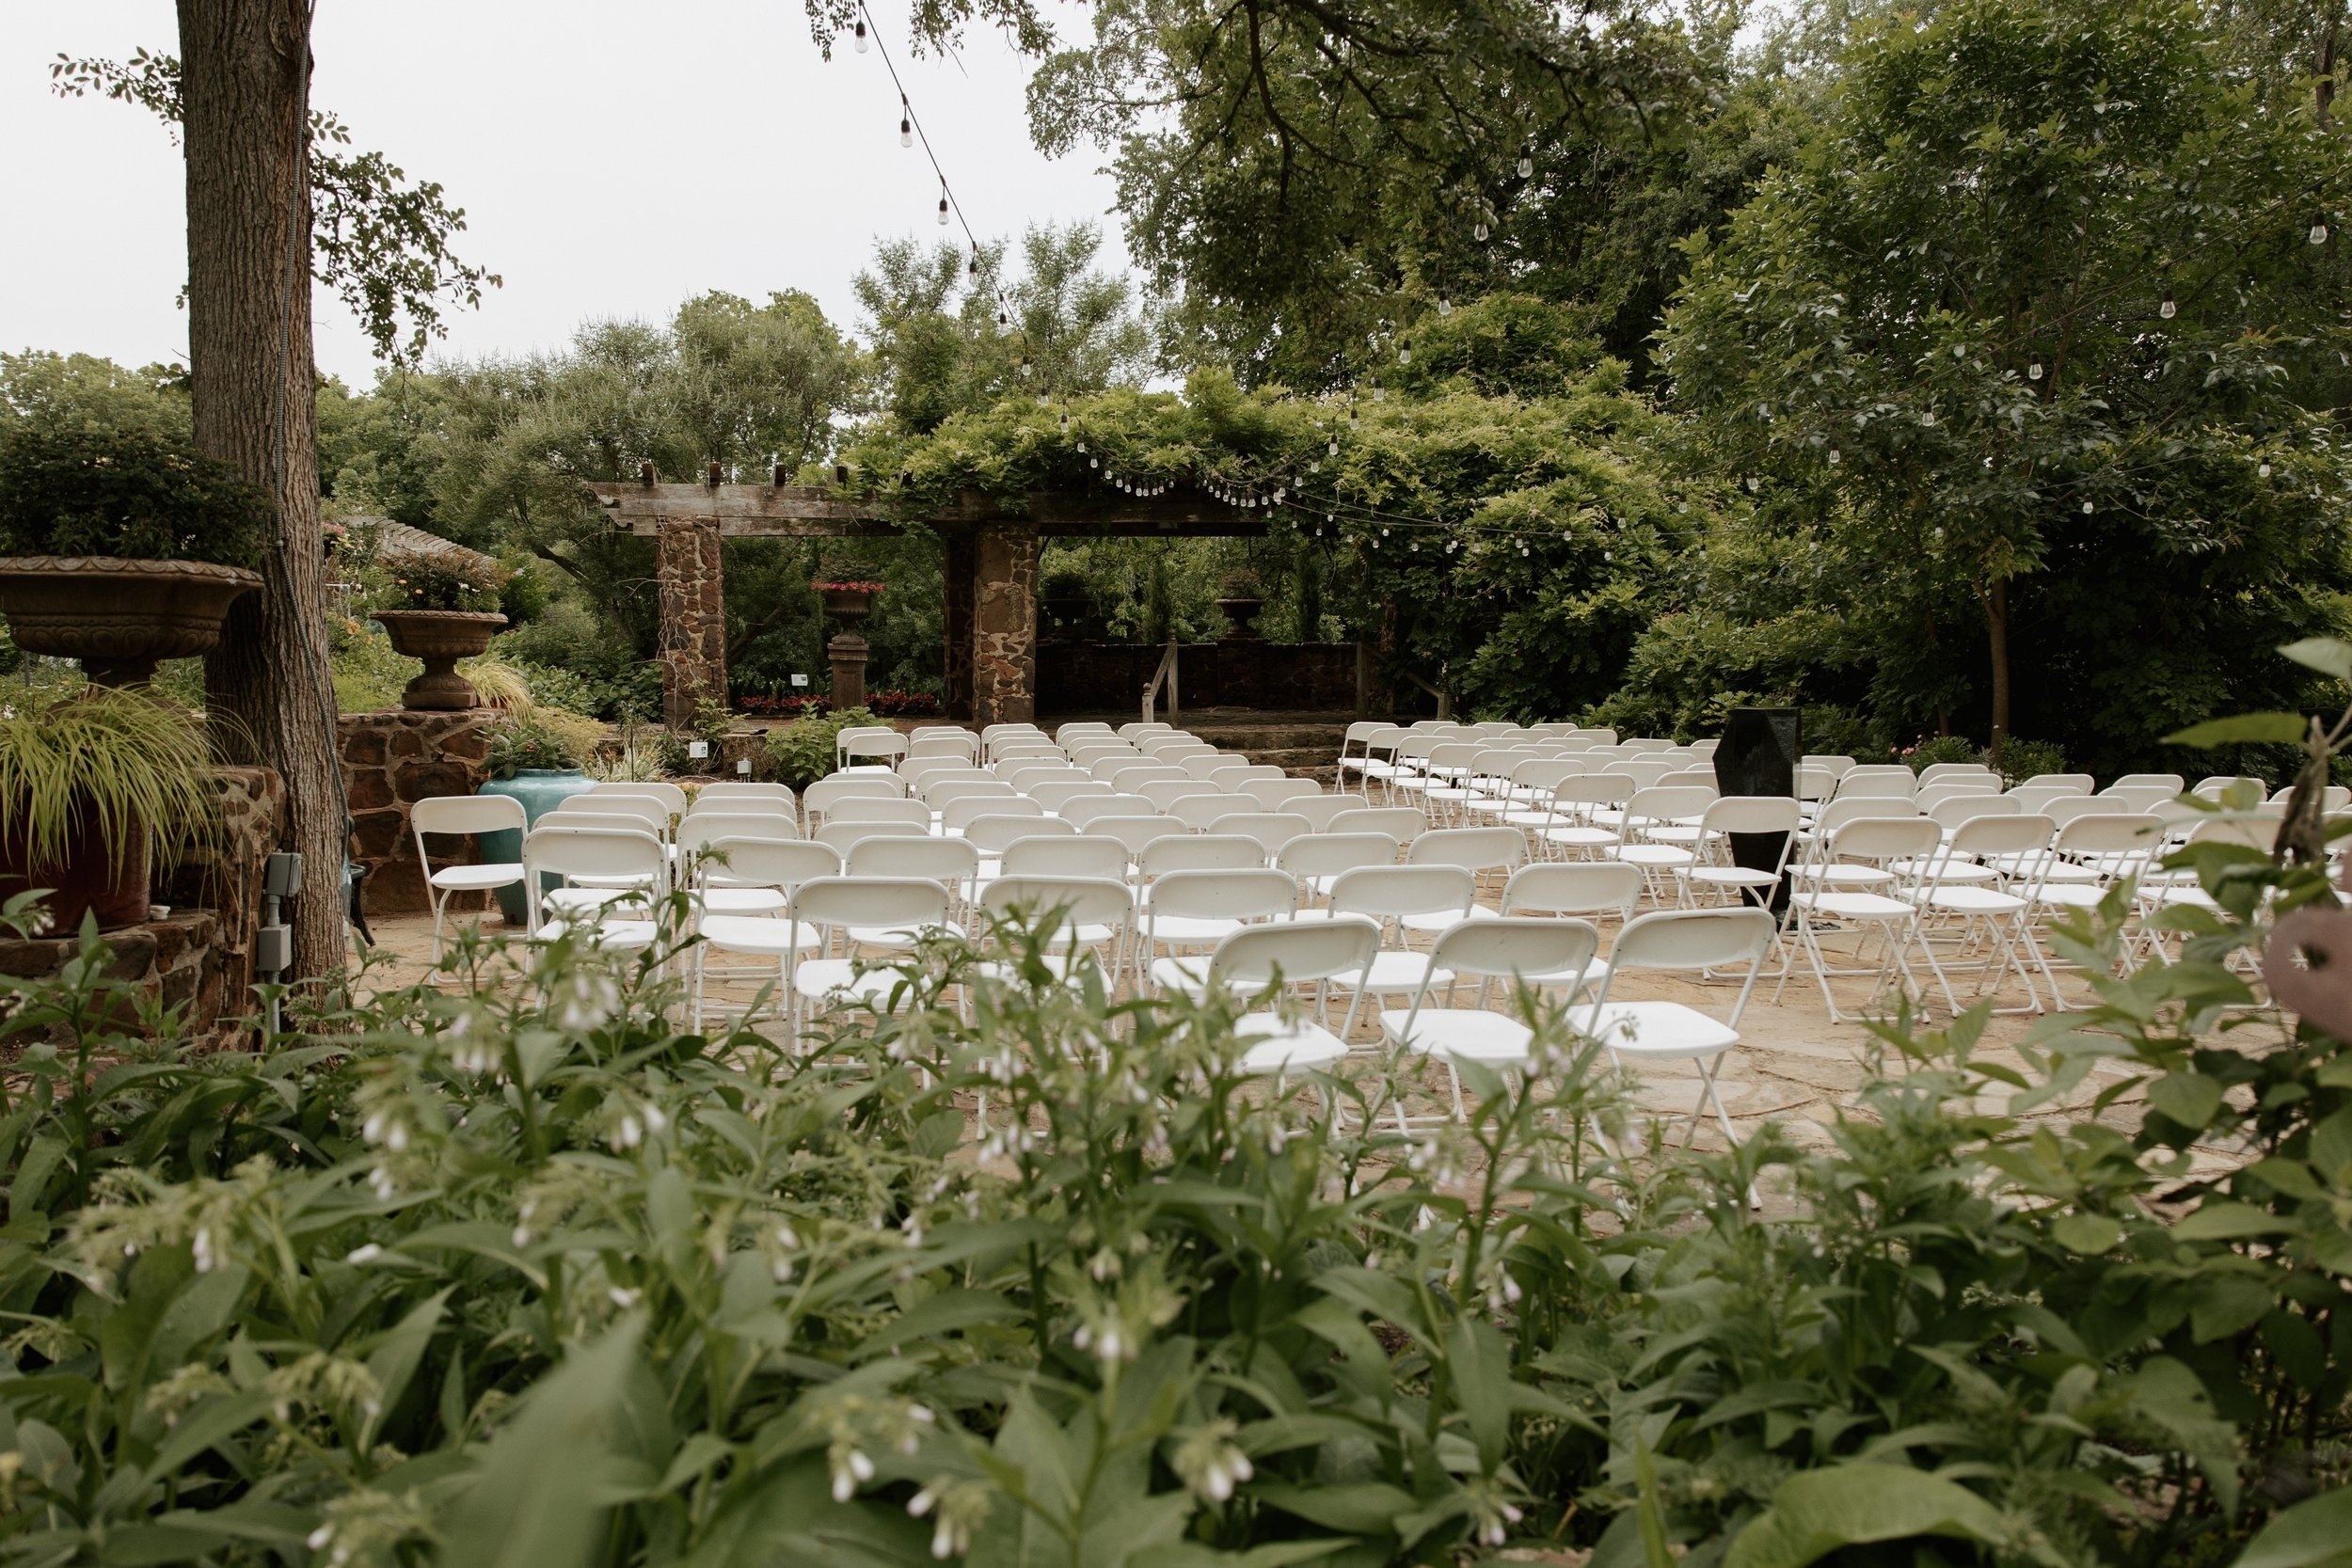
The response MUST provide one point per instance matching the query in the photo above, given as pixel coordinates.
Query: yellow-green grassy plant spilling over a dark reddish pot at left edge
(91, 789)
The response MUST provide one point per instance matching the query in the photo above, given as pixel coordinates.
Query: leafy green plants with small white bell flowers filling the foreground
(533, 1275)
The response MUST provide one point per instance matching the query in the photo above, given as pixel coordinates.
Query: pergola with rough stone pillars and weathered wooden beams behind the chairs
(991, 568)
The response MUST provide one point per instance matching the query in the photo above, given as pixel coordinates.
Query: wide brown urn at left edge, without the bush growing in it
(119, 617)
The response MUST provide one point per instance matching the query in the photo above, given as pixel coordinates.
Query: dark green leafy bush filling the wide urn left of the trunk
(126, 490)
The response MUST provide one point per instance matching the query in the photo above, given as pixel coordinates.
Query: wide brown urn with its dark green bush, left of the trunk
(123, 547)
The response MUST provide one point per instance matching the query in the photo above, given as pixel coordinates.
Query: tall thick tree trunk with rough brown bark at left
(246, 81)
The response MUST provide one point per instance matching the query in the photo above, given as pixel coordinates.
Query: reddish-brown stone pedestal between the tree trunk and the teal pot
(394, 760)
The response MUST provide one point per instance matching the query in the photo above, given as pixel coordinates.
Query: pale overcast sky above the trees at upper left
(613, 159)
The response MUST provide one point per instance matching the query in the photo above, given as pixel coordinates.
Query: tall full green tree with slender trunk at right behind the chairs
(2045, 309)
